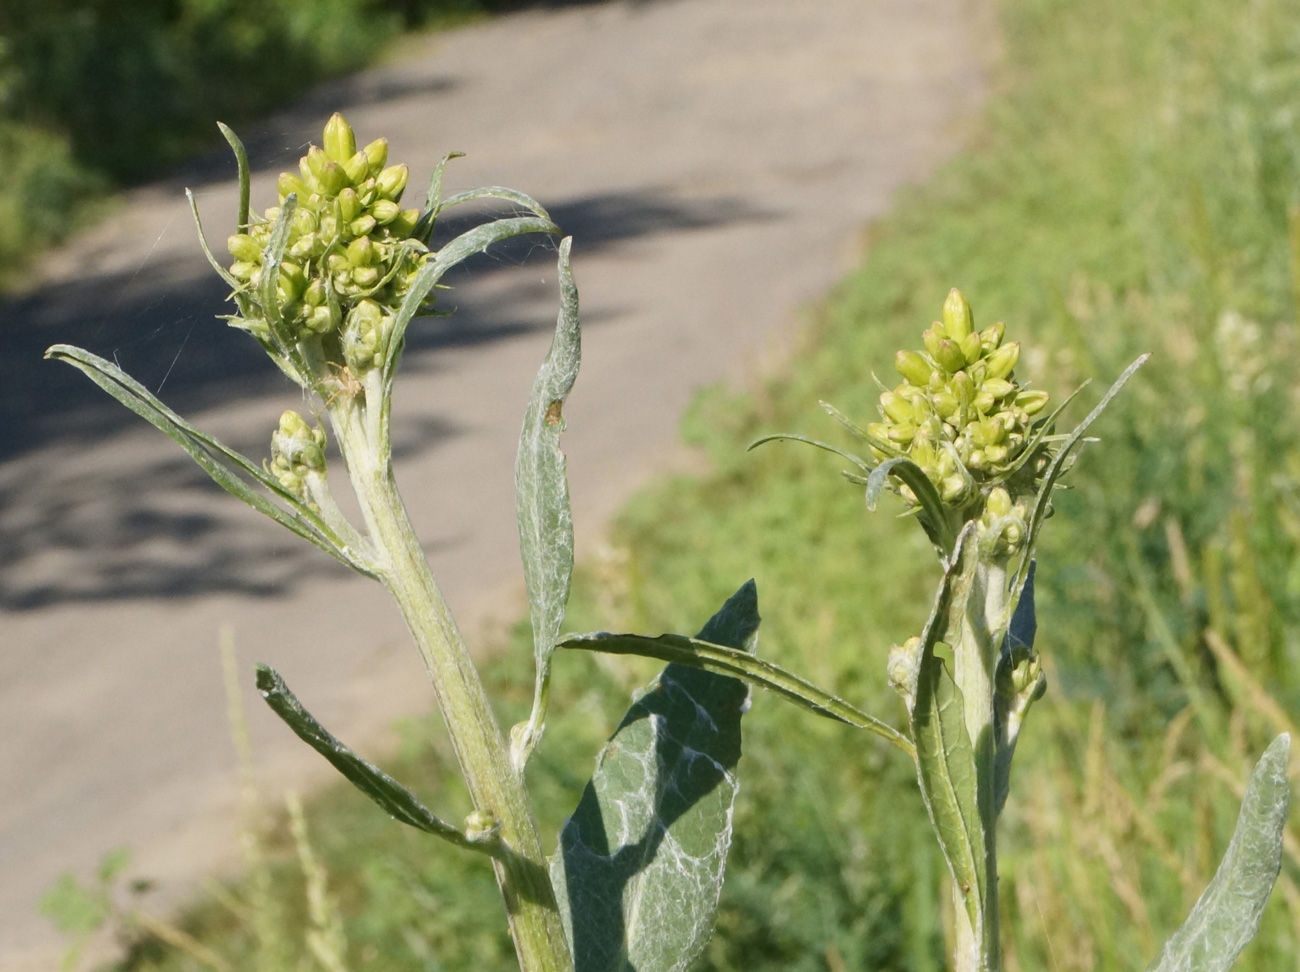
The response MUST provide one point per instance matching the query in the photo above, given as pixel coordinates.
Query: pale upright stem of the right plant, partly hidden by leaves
(976, 659)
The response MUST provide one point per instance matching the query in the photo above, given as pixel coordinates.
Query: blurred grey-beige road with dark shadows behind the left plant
(716, 162)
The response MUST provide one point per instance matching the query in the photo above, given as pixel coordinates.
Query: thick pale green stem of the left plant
(495, 787)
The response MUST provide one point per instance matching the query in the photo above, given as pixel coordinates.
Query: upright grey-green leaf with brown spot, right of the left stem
(543, 501)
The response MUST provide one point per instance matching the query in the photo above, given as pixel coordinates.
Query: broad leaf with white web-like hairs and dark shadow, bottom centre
(640, 863)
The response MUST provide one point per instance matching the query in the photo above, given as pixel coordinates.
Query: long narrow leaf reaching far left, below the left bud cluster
(218, 459)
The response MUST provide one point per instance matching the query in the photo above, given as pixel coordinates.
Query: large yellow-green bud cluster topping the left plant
(350, 258)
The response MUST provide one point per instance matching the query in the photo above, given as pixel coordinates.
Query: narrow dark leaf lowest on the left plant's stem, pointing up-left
(393, 797)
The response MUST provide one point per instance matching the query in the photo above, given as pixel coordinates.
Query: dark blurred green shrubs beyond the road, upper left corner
(99, 94)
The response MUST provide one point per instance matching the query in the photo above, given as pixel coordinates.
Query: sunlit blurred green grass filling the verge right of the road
(1136, 186)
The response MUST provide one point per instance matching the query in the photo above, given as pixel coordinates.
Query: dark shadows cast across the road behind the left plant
(71, 535)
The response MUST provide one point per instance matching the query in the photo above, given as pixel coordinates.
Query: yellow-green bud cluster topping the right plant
(960, 414)
